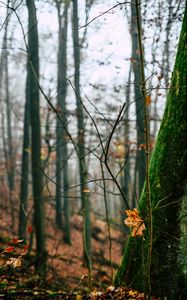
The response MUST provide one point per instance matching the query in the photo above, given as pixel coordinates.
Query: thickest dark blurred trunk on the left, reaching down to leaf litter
(33, 94)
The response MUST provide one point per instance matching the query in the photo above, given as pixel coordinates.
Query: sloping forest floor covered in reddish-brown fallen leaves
(67, 277)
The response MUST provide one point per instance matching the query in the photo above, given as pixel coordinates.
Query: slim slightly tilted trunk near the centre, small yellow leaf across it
(81, 141)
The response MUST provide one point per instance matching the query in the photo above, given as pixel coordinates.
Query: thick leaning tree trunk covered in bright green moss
(167, 176)
